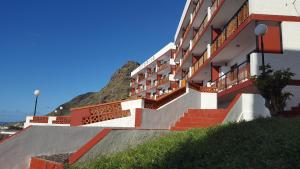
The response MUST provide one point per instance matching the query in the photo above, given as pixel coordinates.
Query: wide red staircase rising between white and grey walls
(200, 118)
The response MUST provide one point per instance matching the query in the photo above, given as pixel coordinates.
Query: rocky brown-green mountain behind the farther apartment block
(117, 89)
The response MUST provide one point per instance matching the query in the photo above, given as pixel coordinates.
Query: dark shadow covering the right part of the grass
(264, 143)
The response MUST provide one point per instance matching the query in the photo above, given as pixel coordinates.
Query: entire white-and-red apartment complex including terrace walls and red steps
(204, 78)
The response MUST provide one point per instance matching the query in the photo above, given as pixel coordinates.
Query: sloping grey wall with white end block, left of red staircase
(167, 115)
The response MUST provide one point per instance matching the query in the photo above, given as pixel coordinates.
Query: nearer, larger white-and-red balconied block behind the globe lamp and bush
(217, 46)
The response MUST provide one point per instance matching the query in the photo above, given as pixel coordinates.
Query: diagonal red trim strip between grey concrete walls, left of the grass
(84, 149)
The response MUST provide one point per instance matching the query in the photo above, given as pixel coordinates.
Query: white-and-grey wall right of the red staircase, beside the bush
(248, 107)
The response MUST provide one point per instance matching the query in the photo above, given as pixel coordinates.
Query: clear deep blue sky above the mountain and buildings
(70, 47)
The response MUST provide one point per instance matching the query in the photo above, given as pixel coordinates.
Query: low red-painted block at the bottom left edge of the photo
(38, 163)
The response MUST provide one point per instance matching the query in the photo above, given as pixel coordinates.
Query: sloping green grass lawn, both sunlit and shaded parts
(264, 143)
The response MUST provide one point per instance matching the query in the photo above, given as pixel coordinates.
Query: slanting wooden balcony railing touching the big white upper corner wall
(231, 27)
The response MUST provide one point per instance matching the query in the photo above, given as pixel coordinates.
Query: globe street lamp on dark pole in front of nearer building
(260, 31)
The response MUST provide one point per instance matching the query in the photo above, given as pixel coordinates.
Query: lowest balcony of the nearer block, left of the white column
(234, 77)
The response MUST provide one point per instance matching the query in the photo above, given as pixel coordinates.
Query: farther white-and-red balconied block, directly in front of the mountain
(155, 77)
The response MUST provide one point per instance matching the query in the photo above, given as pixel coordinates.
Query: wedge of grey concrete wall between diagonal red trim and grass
(120, 140)
